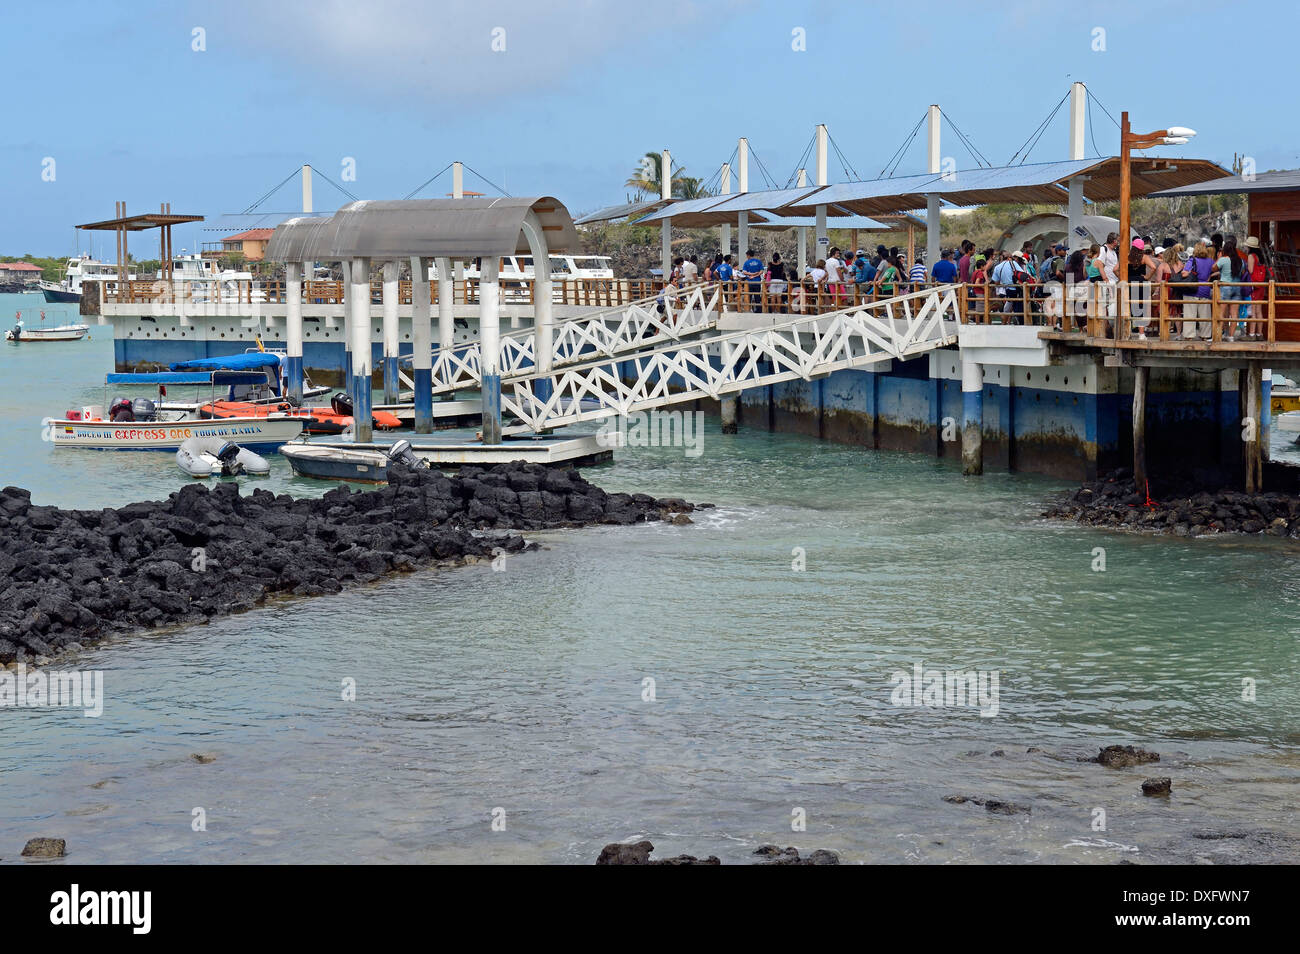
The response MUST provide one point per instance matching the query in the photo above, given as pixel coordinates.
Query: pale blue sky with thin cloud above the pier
(209, 106)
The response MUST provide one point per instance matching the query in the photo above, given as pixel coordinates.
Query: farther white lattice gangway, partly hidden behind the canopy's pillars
(599, 335)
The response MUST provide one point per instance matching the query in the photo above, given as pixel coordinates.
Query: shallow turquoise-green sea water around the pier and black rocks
(523, 690)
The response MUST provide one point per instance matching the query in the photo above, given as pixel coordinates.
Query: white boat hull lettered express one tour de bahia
(261, 435)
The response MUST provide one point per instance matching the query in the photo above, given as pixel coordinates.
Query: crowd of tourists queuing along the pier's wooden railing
(1060, 288)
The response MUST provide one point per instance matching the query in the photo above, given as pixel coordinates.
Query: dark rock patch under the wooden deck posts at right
(1115, 502)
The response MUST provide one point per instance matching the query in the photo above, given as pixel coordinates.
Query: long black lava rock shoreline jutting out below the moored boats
(72, 578)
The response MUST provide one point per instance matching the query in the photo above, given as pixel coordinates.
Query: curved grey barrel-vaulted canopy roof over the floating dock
(431, 228)
